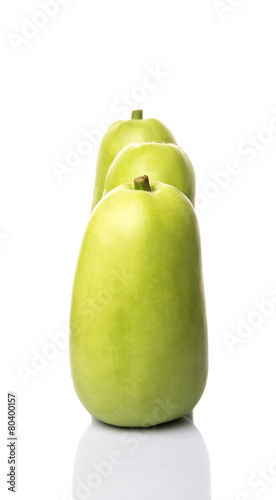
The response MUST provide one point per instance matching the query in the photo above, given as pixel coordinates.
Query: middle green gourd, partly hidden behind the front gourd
(167, 163)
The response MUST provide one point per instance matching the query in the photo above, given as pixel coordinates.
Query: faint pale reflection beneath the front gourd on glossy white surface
(166, 462)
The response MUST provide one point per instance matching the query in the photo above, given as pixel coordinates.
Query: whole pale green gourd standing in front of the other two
(138, 331)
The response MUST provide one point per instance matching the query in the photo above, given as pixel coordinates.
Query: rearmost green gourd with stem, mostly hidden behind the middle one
(119, 135)
